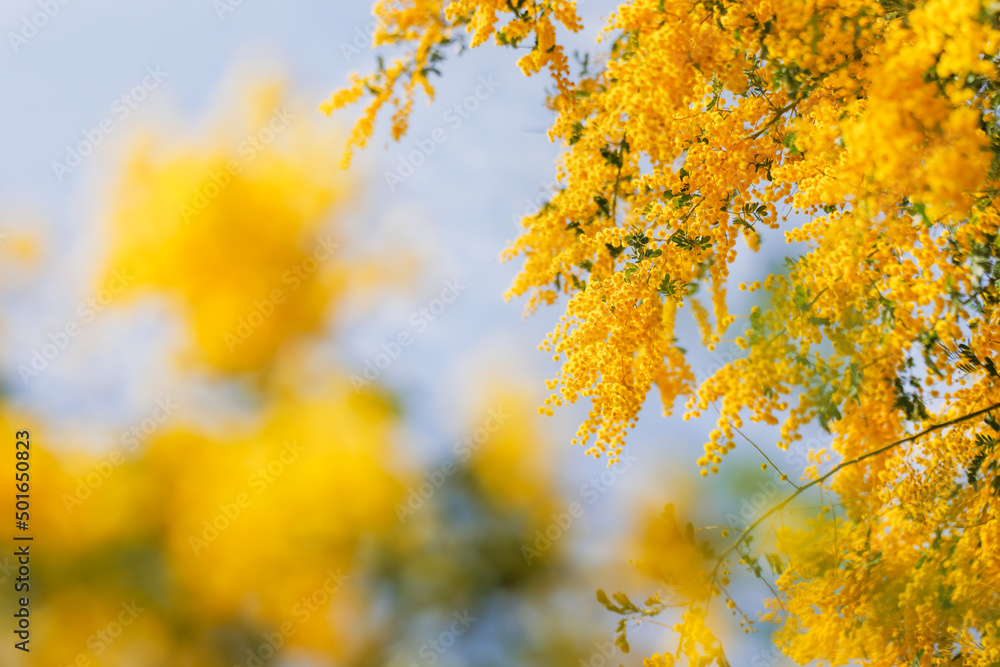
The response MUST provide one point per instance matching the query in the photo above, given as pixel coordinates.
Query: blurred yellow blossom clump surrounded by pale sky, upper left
(235, 230)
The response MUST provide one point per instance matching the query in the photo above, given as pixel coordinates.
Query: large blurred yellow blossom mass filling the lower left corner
(256, 528)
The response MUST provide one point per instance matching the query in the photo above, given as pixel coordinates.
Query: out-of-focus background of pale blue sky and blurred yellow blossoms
(280, 412)
